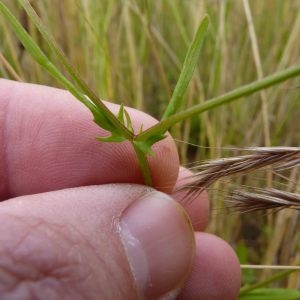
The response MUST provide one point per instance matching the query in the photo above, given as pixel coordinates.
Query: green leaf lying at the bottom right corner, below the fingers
(271, 294)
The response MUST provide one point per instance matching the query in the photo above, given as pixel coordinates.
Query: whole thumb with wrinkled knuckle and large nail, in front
(118, 241)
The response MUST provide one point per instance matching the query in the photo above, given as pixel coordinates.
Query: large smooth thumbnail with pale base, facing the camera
(159, 243)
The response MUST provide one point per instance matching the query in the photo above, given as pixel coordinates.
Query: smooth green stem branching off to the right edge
(245, 90)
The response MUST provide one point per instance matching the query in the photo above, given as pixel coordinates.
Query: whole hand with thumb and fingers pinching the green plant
(77, 221)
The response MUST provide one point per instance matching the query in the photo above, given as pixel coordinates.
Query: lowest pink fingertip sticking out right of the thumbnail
(216, 272)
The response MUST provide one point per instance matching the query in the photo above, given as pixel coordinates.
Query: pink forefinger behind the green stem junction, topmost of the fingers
(48, 143)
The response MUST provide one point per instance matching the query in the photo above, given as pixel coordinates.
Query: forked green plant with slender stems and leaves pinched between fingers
(119, 126)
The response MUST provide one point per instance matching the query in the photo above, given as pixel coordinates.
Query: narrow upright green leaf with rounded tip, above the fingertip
(188, 69)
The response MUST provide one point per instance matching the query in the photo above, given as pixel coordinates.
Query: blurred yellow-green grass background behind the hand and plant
(131, 52)
